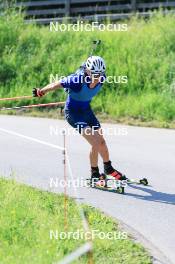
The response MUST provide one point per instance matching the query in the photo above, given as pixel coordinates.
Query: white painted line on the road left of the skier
(31, 139)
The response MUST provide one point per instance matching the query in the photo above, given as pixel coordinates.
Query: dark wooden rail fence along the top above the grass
(46, 11)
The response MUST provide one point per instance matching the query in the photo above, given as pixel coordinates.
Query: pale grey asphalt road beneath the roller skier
(138, 152)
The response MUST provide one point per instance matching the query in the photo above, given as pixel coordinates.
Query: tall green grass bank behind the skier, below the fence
(145, 54)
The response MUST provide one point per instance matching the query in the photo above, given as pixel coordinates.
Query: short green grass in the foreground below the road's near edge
(27, 215)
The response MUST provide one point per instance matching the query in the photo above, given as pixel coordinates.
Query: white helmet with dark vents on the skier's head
(95, 64)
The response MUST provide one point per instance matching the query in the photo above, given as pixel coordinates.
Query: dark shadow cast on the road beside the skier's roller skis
(154, 196)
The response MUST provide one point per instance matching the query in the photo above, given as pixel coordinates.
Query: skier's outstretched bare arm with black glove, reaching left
(48, 88)
